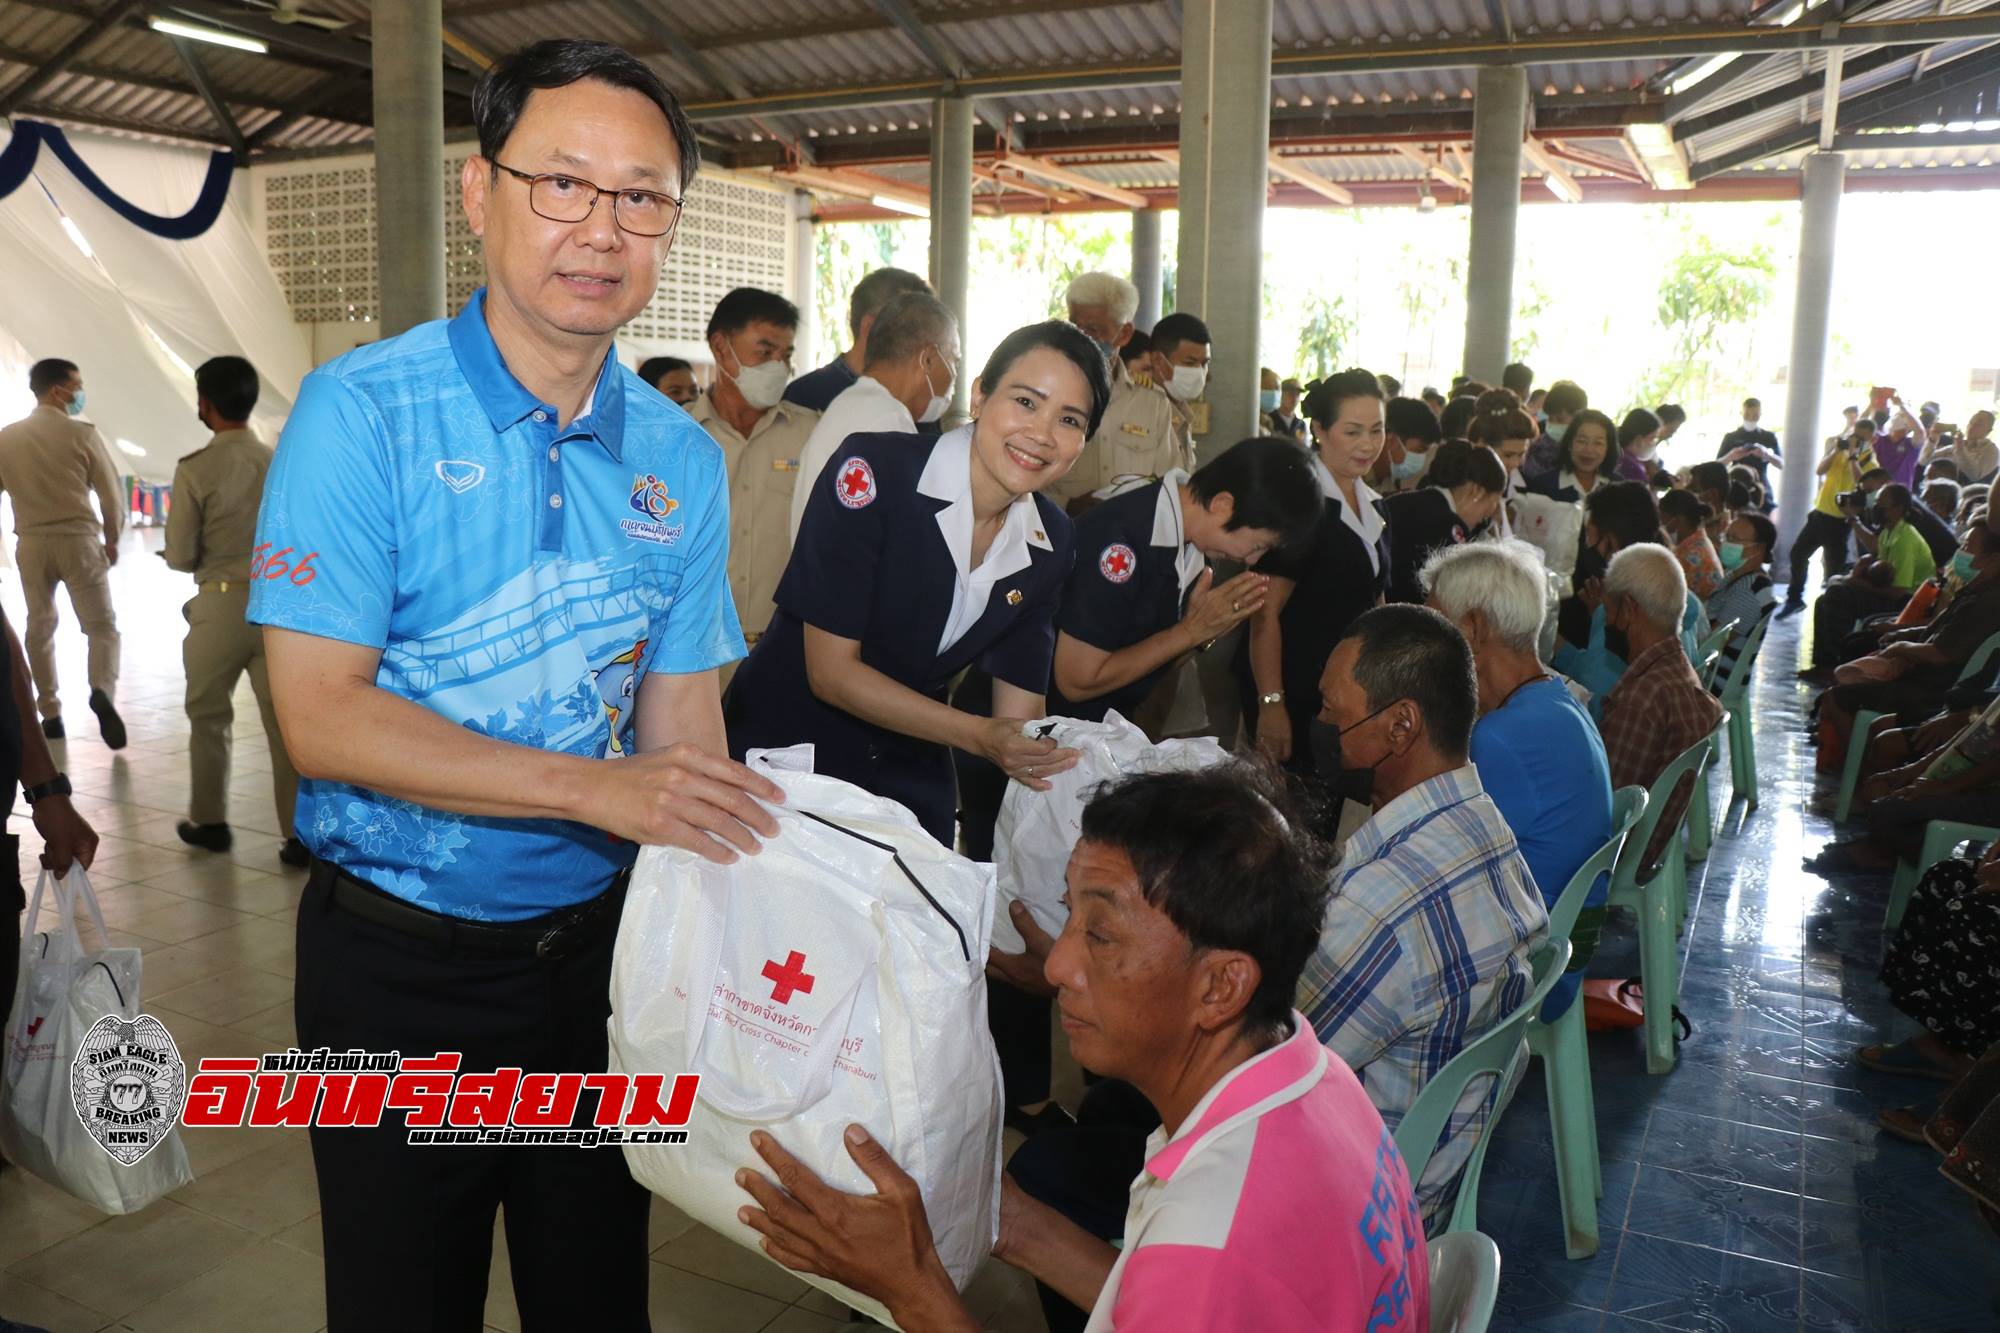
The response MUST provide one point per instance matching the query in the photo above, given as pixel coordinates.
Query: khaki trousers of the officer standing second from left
(221, 647)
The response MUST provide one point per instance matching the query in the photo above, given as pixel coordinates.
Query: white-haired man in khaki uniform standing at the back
(1141, 431)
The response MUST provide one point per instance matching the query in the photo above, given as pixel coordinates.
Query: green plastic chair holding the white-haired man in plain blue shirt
(1565, 1054)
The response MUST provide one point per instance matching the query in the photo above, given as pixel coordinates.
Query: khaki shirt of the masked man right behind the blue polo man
(763, 475)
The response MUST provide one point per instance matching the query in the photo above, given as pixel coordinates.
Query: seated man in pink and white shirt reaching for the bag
(1271, 1200)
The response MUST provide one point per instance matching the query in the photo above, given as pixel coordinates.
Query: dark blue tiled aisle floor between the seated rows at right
(1751, 1190)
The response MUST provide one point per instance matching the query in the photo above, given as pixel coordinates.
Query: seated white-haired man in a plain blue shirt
(1537, 750)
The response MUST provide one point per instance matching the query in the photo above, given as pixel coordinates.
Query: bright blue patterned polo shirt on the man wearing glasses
(517, 575)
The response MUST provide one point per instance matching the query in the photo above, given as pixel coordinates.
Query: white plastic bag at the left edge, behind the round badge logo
(61, 994)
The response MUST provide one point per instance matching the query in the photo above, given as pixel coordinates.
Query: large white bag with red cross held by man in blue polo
(835, 978)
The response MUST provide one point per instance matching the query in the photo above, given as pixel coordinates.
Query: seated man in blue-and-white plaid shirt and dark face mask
(1435, 914)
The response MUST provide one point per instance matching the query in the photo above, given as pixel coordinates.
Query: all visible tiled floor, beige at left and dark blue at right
(1745, 1192)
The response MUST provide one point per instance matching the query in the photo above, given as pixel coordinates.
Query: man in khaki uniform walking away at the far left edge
(53, 463)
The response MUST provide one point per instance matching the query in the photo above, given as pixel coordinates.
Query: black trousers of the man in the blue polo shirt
(409, 1230)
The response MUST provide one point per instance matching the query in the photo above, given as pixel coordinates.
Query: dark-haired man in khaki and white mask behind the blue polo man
(761, 437)
